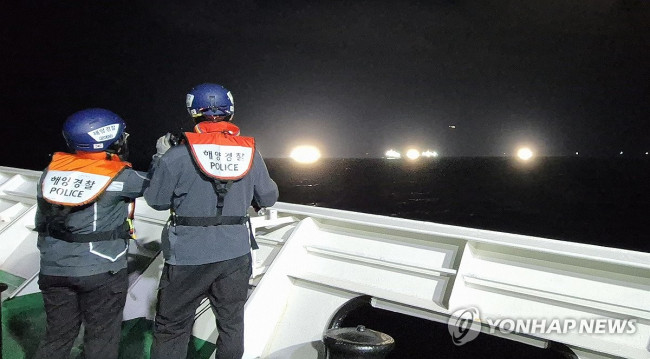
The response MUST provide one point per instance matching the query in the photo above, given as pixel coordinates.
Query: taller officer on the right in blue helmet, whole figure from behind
(208, 185)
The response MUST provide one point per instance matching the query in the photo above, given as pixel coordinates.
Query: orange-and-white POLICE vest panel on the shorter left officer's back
(78, 179)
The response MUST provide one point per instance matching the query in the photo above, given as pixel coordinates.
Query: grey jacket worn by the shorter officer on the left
(106, 213)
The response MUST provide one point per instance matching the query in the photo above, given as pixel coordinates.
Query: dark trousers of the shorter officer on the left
(97, 301)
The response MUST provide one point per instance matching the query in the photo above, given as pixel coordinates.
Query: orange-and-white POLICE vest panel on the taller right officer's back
(219, 151)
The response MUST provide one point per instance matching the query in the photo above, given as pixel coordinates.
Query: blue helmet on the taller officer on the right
(211, 101)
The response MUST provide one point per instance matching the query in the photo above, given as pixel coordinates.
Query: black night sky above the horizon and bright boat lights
(352, 77)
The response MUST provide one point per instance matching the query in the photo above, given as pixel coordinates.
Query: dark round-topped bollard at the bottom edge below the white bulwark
(357, 343)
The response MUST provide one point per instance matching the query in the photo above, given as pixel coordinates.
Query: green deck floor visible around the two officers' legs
(23, 325)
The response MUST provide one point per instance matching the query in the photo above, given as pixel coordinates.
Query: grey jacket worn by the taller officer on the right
(178, 184)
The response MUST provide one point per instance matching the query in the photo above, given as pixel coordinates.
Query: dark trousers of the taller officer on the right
(181, 290)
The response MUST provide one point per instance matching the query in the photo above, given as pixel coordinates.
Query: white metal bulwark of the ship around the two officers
(313, 262)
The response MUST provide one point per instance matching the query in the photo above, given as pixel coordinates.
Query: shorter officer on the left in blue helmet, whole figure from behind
(82, 218)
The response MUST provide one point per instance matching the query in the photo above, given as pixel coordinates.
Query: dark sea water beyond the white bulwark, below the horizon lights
(604, 202)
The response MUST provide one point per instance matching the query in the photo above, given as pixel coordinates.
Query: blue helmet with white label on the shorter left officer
(93, 130)
